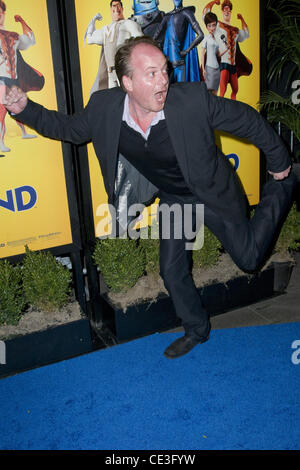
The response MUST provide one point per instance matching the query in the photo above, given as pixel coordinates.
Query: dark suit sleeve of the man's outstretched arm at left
(75, 129)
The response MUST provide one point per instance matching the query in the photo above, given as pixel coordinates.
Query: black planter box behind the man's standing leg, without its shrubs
(155, 316)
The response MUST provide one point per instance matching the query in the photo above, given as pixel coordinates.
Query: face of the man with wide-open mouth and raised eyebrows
(148, 86)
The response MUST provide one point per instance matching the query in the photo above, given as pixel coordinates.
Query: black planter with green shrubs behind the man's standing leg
(136, 302)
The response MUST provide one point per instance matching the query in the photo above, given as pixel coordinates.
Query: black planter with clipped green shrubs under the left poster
(40, 322)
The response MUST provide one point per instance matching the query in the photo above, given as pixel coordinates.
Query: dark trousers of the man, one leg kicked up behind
(247, 241)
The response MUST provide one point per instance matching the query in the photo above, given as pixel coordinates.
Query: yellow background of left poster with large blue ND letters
(34, 162)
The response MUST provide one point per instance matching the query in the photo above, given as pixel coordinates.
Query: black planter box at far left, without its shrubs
(45, 347)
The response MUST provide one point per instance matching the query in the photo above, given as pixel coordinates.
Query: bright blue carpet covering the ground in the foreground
(238, 391)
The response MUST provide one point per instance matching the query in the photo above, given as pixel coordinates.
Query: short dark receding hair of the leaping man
(123, 55)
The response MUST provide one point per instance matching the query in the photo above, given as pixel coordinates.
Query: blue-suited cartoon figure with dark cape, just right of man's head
(182, 35)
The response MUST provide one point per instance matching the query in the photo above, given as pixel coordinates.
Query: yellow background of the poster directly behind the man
(249, 87)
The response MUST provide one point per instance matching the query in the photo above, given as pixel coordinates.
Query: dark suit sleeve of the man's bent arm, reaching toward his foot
(243, 121)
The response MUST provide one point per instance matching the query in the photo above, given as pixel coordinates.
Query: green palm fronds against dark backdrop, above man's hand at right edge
(283, 44)
